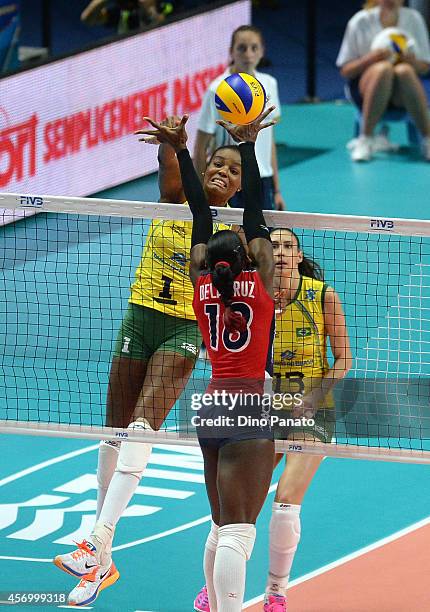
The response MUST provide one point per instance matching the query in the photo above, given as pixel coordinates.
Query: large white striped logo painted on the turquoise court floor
(48, 506)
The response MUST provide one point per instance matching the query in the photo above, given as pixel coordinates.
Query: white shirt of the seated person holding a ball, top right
(366, 24)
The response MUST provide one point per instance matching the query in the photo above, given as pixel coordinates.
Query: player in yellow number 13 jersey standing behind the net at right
(308, 314)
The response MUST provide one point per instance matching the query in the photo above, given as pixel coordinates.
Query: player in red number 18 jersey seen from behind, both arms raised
(235, 310)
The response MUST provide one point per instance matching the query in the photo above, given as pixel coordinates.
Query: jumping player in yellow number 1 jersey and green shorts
(154, 355)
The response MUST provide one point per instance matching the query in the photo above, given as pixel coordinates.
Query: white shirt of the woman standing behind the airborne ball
(209, 115)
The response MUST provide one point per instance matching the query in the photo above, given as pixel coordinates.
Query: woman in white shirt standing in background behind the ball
(246, 51)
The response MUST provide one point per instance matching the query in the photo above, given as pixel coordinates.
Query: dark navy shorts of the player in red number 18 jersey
(231, 411)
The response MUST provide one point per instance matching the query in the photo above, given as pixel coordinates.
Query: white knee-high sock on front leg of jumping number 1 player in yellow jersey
(122, 488)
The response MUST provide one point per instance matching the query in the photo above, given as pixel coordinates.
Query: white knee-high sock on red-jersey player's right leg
(235, 543)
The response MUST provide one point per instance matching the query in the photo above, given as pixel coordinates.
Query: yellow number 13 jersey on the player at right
(300, 345)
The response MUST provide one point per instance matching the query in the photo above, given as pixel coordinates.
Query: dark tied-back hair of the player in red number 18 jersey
(226, 258)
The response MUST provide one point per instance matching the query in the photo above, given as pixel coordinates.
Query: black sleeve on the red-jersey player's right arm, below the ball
(254, 224)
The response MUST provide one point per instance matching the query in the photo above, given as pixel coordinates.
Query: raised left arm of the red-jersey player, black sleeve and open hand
(176, 137)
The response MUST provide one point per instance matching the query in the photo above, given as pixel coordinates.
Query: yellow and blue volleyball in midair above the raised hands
(240, 98)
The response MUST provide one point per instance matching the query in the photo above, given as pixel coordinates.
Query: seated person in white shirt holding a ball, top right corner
(375, 83)
